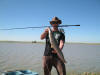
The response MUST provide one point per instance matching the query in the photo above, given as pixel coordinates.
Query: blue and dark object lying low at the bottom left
(20, 72)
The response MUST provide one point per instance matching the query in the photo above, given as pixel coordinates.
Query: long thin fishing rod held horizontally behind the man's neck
(38, 27)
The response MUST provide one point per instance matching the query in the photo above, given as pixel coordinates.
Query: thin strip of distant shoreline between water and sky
(40, 42)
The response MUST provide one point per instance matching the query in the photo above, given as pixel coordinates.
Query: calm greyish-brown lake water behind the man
(80, 57)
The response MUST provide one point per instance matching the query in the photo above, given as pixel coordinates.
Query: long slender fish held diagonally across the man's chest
(54, 45)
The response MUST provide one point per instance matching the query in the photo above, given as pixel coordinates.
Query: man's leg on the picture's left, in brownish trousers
(47, 65)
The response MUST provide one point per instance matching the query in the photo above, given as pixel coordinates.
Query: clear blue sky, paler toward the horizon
(32, 13)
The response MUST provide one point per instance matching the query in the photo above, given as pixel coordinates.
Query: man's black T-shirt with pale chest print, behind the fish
(58, 36)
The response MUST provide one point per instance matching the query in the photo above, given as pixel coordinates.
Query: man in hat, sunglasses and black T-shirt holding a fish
(50, 57)
